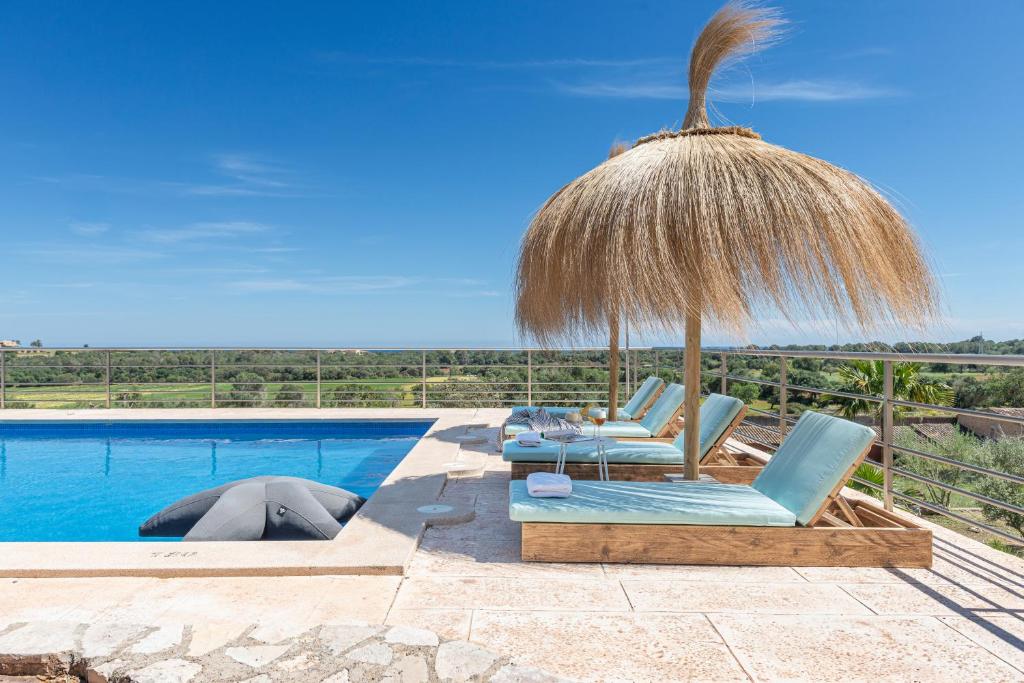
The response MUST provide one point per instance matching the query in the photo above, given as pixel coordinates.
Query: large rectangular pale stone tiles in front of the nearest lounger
(961, 621)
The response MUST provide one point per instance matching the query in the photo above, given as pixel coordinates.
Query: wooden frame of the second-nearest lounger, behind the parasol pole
(719, 463)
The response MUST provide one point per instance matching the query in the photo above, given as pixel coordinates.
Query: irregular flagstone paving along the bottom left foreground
(119, 653)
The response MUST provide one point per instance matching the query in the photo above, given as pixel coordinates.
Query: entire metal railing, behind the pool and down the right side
(491, 377)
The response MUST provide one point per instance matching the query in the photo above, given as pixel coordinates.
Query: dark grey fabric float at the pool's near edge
(259, 508)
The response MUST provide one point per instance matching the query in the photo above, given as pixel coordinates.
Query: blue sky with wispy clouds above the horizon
(264, 174)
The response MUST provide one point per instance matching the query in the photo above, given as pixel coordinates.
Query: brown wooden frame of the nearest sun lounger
(842, 533)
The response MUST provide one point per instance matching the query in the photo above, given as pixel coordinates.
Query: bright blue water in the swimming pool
(99, 482)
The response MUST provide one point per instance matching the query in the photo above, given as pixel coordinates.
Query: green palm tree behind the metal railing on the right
(866, 377)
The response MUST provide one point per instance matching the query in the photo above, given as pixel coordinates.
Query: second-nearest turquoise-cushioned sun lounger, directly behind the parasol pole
(645, 461)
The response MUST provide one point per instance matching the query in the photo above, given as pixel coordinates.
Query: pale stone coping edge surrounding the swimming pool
(380, 540)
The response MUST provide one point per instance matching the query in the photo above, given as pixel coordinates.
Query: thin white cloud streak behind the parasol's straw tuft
(793, 91)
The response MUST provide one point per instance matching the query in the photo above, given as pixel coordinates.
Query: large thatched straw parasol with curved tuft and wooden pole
(716, 225)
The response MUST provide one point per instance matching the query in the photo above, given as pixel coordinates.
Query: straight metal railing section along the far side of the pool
(303, 377)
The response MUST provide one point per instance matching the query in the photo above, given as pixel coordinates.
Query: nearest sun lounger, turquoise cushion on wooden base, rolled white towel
(792, 516)
